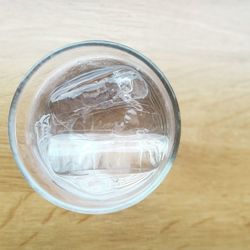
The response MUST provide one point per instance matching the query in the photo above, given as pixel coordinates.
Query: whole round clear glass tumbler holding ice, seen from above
(94, 127)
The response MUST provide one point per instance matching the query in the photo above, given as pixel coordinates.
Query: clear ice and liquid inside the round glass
(102, 132)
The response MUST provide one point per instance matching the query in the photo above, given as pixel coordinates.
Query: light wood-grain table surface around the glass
(204, 49)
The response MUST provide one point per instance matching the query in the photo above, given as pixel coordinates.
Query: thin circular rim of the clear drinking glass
(12, 129)
